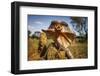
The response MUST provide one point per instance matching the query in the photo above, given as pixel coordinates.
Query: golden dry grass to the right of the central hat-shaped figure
(79, 49)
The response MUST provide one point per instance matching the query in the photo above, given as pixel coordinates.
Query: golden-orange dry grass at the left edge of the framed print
(33, 49)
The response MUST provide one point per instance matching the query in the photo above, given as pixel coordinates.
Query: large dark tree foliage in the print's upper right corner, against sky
(80, 25)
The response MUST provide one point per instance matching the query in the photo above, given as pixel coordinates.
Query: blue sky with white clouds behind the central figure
(38, 22)
